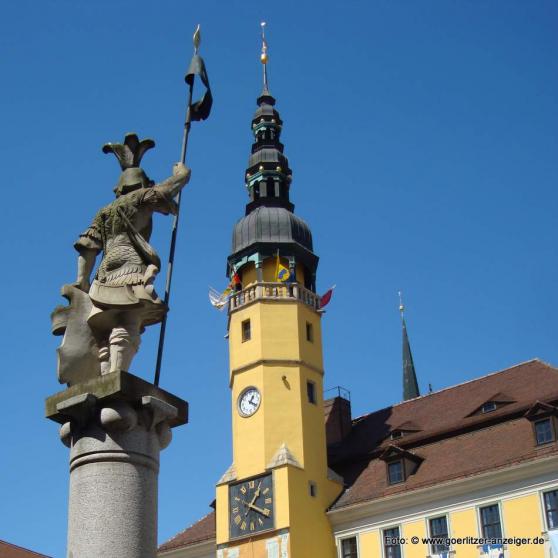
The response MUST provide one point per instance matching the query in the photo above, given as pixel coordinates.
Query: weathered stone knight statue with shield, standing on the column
(121, 299)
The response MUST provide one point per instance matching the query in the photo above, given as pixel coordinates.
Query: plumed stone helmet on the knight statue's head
(129, 155)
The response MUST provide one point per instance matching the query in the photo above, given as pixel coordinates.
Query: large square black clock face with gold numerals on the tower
(251, 506)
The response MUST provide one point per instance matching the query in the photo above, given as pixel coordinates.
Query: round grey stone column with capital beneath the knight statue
(115, 426)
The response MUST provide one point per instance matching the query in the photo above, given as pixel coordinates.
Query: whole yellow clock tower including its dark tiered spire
(272, 501)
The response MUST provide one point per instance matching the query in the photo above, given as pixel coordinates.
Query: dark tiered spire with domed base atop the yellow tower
(270, 227)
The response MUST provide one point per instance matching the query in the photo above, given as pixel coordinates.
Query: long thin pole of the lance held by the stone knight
(186, 133)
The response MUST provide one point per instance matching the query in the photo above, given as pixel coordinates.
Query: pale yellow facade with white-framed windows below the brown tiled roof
(518, 494)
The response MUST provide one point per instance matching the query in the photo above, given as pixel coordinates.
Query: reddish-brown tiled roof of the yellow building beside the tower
(451, 443)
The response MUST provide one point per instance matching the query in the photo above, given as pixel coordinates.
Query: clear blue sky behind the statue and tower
(423, 140)
